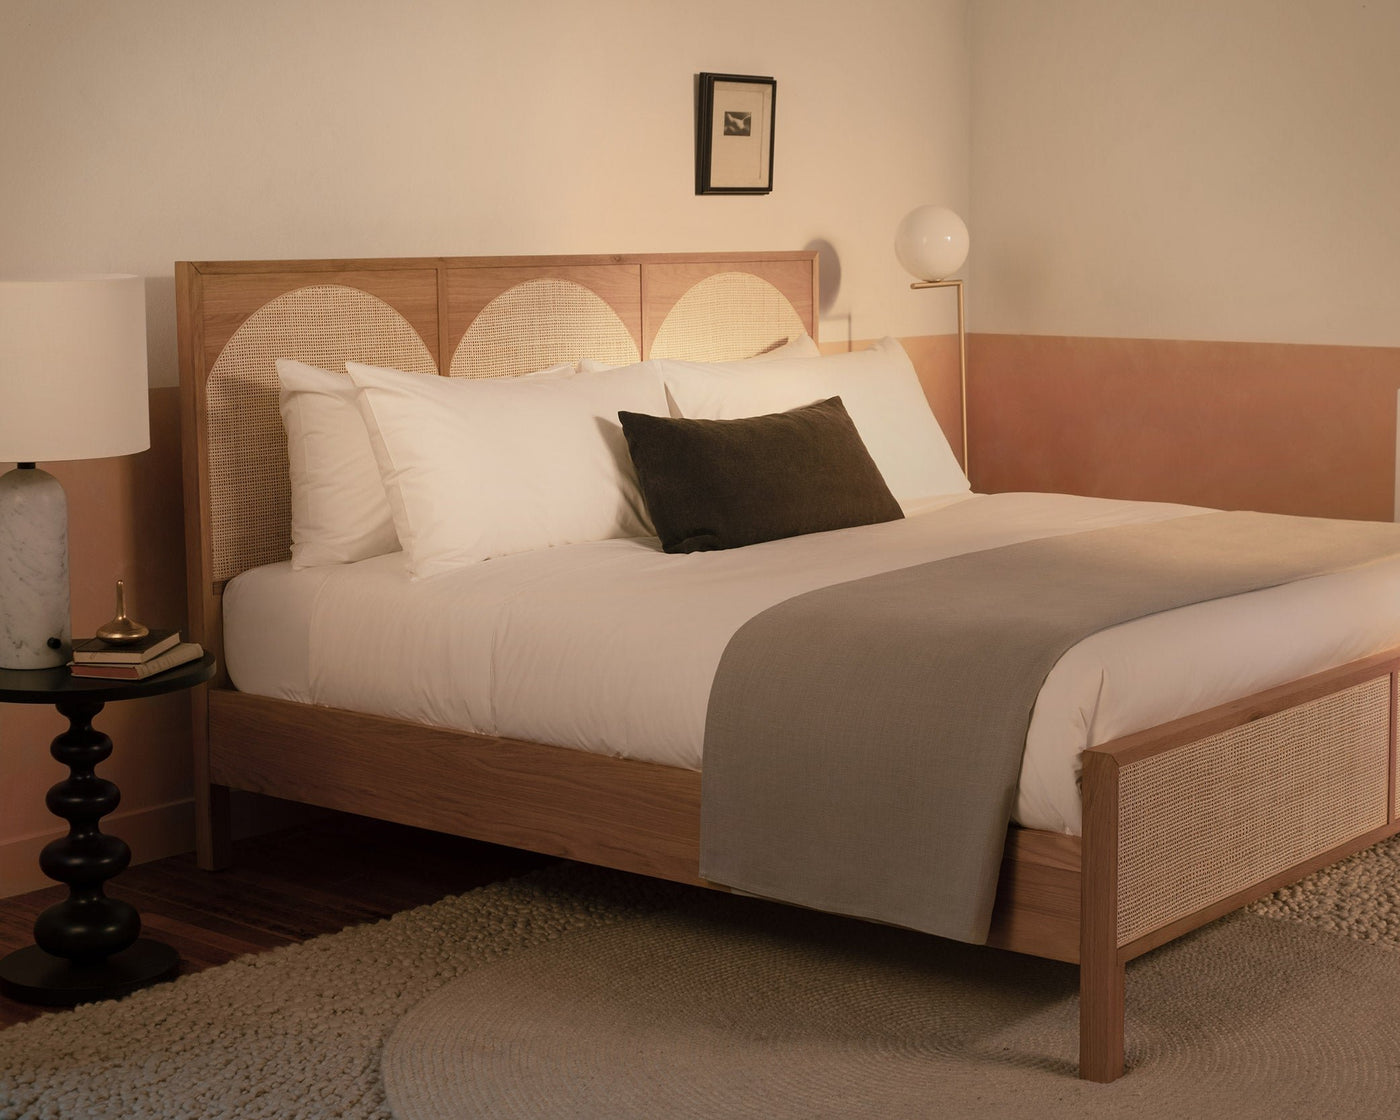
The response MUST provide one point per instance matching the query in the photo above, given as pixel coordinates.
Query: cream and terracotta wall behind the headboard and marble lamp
(143, 132)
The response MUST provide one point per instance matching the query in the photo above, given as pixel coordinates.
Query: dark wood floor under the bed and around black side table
(283, 888)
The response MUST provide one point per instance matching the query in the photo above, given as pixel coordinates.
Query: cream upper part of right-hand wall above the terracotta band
(1188, 170)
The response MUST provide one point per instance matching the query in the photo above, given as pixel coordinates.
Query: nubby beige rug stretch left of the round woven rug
(296, 1032)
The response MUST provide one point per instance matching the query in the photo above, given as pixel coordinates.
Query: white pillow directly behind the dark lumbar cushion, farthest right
(878, 387)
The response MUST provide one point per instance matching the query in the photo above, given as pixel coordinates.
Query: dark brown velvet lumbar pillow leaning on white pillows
(727, 484)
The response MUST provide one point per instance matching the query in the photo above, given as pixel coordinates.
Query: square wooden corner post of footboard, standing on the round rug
(1101, 964)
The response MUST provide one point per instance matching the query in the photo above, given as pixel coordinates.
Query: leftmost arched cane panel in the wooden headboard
(248, 491)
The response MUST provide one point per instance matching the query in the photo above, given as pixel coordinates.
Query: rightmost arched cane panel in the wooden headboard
(727, 317)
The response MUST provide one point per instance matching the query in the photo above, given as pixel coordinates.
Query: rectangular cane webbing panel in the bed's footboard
(1248, 804)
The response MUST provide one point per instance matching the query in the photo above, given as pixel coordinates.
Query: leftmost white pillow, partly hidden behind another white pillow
(339, 512)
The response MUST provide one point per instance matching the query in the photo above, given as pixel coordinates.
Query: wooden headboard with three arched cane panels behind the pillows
(458, 317)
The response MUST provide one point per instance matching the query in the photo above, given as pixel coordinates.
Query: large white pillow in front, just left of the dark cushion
(482, 468)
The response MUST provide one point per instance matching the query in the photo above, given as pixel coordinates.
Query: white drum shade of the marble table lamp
(73, 380)
